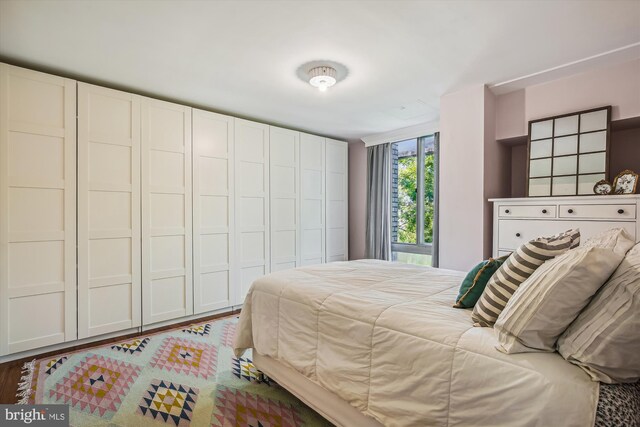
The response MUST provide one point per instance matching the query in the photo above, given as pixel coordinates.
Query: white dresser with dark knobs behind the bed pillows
(516, 221)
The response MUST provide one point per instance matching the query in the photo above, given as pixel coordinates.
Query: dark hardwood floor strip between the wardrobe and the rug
(10, 372)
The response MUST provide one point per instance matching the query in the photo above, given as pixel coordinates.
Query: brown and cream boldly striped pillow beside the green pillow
(518, 267)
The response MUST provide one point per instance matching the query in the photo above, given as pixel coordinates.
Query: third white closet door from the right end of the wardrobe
(284, 196)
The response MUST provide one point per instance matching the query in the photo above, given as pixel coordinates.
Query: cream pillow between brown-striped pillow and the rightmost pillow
(547, 302)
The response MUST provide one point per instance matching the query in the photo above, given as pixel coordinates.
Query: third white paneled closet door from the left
(167, 287)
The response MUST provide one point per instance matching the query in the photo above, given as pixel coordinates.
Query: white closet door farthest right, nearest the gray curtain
(337, 205)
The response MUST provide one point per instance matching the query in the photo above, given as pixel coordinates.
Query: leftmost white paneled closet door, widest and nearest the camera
(37, 209)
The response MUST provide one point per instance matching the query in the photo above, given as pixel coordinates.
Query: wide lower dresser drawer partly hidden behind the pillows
(513, 233)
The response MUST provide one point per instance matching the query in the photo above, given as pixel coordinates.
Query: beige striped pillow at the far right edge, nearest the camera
(605, 338)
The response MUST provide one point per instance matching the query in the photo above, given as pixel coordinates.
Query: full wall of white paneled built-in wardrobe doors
(120, 212)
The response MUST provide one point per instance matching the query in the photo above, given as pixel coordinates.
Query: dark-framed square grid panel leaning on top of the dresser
(568, 153)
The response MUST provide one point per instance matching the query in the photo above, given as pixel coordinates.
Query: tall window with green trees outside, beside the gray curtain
(413, 201)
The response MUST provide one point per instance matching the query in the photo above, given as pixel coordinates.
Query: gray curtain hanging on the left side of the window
(378, 243)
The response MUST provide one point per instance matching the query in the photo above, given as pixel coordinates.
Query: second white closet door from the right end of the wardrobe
(312, 177)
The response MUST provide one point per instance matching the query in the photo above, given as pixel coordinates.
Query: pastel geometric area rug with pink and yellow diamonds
(177, 378)
